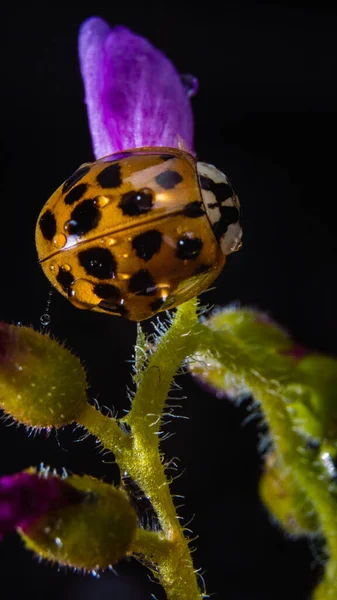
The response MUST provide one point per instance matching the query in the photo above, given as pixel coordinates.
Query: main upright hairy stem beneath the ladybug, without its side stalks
(144, 464)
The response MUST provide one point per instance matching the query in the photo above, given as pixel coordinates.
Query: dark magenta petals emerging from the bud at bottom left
(26, 496)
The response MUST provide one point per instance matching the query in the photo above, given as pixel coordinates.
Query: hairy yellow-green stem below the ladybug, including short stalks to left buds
(139, 454)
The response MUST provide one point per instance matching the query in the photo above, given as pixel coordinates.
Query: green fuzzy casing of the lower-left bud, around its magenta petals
(92, 534)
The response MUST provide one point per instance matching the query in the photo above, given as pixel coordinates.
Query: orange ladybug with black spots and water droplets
(138, 232)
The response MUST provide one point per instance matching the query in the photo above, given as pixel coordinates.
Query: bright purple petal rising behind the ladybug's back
(134, 95)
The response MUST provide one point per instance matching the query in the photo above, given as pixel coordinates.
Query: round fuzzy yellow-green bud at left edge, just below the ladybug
(41, 383)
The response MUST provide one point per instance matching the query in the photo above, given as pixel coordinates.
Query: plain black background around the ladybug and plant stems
(266, 115)
